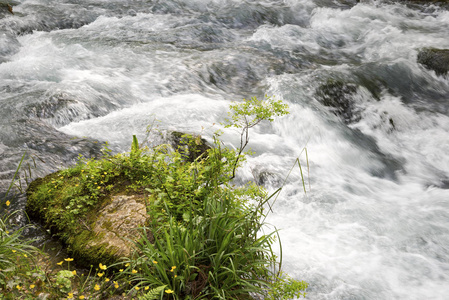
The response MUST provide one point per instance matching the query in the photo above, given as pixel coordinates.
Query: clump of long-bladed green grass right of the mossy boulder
(217, 253)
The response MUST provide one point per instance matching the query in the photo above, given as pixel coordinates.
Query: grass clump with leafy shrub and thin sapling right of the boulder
(206, 239)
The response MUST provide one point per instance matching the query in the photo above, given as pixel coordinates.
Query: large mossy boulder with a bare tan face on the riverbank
(103, 234)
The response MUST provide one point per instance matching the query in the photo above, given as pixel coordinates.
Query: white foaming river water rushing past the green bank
(374, 223)
